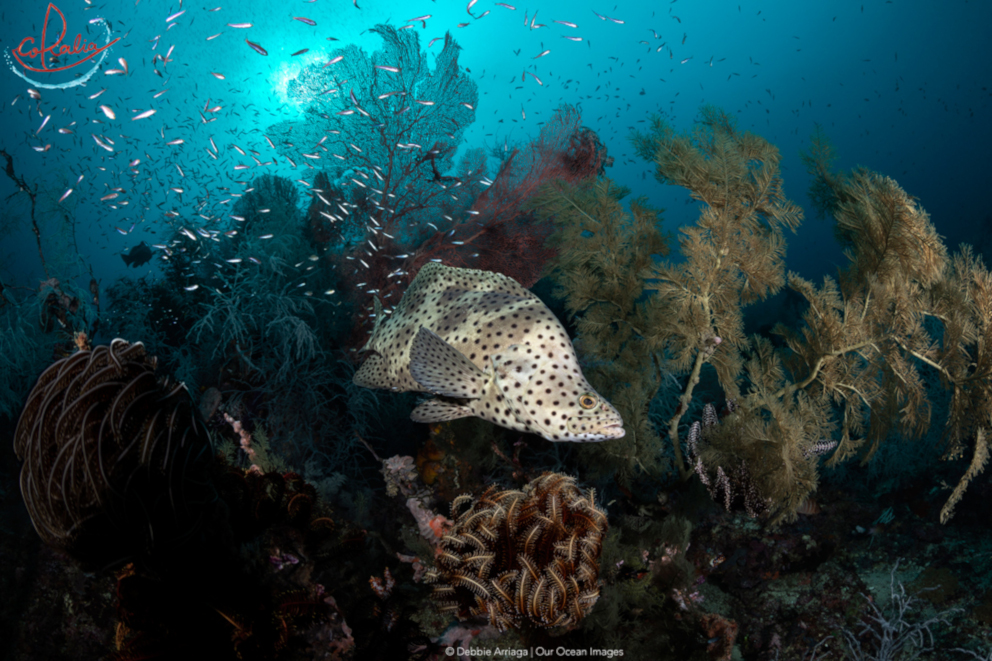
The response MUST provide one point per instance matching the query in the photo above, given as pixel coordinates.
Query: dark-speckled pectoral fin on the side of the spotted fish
(442, 369)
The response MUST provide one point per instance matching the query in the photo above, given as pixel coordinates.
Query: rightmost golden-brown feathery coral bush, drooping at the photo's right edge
(866, 342)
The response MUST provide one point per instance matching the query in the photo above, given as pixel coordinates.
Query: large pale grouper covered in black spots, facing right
(486, 347)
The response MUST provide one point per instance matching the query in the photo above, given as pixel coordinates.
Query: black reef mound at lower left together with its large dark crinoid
(223, 561)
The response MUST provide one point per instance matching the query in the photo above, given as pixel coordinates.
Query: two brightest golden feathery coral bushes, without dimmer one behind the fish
(862, 343)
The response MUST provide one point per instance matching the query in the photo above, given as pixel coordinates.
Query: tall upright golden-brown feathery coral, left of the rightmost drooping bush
(734, 255)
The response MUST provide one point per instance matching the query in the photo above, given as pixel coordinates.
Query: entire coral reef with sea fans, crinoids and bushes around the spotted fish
(236, 556)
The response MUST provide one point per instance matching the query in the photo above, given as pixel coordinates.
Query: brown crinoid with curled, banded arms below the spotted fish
(522, 557)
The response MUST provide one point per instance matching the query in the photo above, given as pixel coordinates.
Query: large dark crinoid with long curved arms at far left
(114, 456)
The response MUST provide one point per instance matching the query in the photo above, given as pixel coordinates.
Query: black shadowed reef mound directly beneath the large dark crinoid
(252, 588)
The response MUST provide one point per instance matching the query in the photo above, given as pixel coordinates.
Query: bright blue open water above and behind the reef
(900, 87)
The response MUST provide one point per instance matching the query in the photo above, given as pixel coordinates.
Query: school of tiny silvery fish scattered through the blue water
(138, 198)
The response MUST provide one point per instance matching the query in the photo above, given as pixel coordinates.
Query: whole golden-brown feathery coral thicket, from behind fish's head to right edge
(855, 367)
